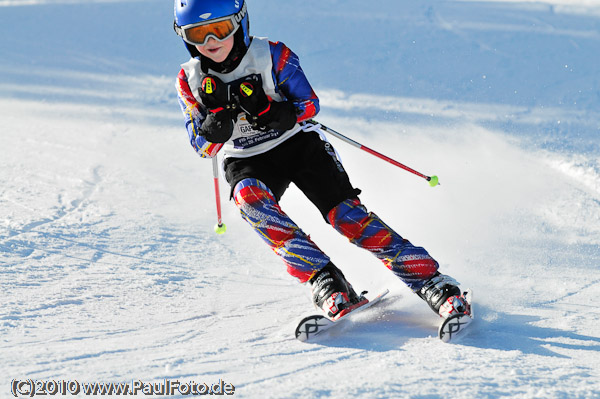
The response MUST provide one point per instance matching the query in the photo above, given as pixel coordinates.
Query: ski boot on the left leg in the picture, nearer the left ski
(332, 293)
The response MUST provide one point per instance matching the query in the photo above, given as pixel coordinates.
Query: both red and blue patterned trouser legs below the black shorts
(303, 258)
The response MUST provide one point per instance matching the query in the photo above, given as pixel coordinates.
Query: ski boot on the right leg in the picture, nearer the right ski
(443, 296)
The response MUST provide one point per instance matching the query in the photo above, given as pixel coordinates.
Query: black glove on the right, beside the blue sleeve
(261, 111)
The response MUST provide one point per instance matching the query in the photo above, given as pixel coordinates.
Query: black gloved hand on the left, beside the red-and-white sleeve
(215, 95)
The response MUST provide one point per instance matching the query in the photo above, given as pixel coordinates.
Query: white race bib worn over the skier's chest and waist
(246, 141)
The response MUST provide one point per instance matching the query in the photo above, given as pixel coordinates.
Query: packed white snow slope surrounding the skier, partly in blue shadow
(109, 267)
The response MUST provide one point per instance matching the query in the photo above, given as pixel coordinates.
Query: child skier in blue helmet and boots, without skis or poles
(248, 97)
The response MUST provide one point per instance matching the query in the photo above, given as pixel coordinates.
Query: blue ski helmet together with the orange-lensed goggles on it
(197, 20)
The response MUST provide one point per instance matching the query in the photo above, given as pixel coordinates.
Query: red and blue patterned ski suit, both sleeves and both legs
(260, 208)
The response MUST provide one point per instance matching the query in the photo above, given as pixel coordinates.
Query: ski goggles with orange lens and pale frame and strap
(220, 29)
